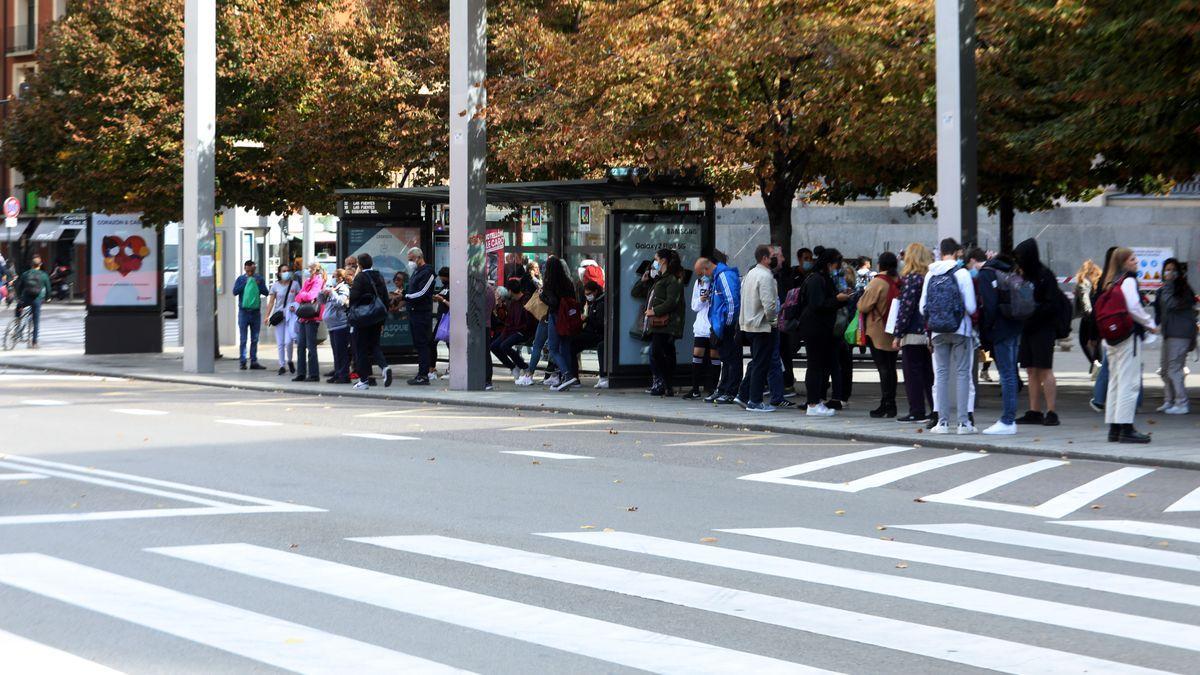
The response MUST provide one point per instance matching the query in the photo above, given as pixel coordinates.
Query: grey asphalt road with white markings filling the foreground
(173, 529)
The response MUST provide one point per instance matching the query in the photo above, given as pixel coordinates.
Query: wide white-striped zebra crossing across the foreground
(1058, 606)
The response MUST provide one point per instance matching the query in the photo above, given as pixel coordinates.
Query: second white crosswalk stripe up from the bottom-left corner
(225, 628)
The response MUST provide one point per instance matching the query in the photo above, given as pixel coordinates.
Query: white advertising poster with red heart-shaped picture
(124, 262)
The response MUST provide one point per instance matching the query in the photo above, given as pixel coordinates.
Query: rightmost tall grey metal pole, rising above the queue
(958, 190)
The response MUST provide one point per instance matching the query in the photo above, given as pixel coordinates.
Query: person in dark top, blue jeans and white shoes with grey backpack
(1001, 337)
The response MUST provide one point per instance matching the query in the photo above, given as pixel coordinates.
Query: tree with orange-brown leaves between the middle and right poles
(767, 95)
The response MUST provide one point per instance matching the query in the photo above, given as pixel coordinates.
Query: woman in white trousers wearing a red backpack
(1125, 357)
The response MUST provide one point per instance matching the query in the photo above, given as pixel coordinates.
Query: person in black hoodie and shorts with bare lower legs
(1039, 337)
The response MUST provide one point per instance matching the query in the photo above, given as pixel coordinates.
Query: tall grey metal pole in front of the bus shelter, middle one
(469, 181)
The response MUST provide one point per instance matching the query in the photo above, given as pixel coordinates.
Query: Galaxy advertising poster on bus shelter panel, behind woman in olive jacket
(639, 243)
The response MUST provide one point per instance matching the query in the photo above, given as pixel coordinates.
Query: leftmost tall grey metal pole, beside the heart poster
(200, 186)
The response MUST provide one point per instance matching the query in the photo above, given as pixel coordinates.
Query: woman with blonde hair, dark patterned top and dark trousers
(910, 336)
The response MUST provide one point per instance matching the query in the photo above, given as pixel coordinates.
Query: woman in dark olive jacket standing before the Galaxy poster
(662, 286)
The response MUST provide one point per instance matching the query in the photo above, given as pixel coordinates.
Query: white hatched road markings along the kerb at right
(973, 493)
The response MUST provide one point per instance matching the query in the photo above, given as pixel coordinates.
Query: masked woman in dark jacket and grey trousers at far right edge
(1175, 313)
